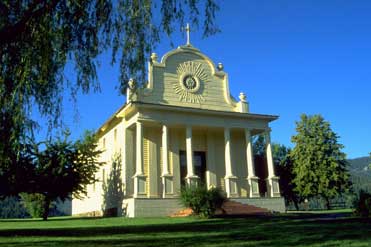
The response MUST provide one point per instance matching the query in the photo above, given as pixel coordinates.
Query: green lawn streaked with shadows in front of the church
(297, 229)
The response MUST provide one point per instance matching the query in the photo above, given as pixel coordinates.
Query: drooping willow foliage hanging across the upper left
(38, 38)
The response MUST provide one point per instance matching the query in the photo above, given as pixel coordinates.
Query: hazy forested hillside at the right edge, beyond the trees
(360, 172)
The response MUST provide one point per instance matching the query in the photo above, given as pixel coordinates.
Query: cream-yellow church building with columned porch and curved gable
(182, 128)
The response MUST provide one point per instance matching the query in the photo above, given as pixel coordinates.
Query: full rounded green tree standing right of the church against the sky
(319, 165)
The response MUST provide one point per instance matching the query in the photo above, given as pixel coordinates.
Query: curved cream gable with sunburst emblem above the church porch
(187, 77)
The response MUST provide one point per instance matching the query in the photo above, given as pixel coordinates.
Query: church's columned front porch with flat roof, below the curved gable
(160, 135)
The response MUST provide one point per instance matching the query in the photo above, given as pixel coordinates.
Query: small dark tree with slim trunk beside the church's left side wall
(63, 169)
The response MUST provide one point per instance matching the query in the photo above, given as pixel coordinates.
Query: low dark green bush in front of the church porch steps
(202, 201)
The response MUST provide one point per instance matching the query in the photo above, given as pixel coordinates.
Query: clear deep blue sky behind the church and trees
(289, 57)
